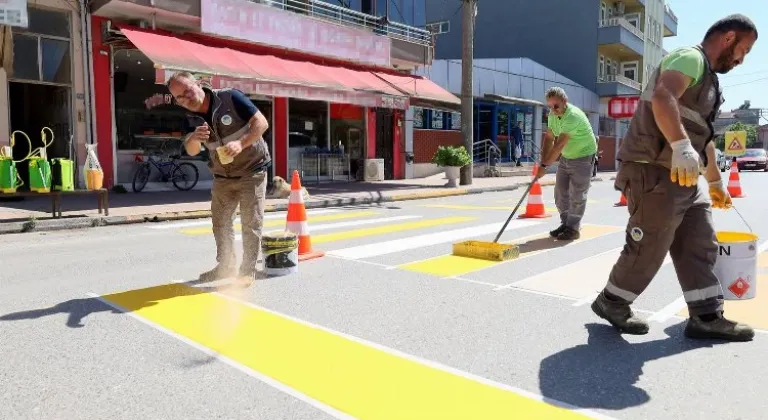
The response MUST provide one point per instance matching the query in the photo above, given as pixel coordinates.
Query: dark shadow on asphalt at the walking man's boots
(603, 373)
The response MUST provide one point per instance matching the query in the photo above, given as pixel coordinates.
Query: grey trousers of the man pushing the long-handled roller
(572, 182)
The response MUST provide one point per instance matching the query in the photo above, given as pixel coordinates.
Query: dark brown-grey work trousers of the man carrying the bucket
(666, 217)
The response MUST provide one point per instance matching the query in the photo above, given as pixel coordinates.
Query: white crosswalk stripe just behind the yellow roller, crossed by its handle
(414, 242)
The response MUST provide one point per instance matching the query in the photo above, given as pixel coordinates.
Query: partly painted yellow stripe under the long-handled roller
(452, 265)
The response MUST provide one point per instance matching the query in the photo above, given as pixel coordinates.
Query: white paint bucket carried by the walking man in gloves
(736, 265)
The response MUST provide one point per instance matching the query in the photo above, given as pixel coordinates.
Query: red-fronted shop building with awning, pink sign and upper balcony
(334, 81)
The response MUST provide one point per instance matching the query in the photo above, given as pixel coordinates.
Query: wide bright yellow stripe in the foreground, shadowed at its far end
(352, 377)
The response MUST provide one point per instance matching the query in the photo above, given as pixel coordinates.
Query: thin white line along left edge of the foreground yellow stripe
(242, 368)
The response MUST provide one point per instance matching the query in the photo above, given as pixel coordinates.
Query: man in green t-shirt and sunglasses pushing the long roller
(569, 137)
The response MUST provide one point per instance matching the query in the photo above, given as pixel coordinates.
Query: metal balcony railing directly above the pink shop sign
(341, 15)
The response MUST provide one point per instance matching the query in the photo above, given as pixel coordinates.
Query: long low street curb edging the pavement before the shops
(87, 222)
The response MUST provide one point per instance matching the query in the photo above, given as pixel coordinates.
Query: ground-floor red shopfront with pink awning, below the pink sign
(325, 121)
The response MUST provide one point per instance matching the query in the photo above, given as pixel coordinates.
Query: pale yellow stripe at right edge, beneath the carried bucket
(753, 312)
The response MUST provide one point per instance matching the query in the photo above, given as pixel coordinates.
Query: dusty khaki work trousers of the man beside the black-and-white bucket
(249, 192)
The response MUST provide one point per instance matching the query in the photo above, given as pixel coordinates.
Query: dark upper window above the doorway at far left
(42, 51)
